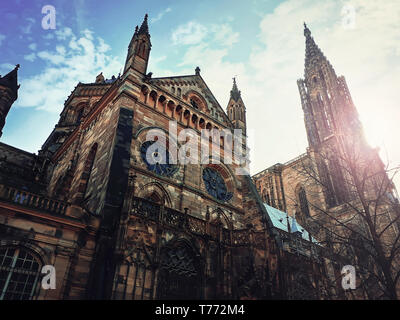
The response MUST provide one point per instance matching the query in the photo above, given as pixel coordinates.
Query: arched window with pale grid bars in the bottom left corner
(19, 273)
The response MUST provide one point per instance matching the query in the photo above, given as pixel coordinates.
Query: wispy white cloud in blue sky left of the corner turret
(75, 59)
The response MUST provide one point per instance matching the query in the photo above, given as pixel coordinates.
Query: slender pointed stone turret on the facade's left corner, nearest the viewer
(139, 49)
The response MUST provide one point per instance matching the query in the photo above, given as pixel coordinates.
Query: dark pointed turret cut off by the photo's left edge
(8, 94)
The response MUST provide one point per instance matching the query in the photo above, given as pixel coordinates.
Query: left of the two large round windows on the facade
(158, 160)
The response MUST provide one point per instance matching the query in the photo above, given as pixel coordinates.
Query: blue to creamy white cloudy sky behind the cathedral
(261, 43)
